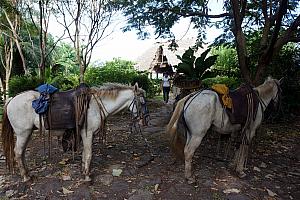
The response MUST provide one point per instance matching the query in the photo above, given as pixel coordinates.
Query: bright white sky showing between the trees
(127, 46)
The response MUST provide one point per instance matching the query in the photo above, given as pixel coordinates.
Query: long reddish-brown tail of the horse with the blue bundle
(7, 137)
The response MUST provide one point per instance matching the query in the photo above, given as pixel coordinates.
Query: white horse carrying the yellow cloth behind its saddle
(204, 111)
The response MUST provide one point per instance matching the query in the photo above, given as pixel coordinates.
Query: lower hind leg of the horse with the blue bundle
(19, 149)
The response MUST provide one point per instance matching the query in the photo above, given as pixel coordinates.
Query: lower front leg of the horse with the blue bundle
(87, 139)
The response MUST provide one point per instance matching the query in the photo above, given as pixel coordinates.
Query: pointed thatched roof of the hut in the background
(150, 59)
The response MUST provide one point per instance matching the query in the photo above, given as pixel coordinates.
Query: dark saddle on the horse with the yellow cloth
(244, 105)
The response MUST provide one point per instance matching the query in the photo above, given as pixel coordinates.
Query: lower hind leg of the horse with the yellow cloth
(189, 150)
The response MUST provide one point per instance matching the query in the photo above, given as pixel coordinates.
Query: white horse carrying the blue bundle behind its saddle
(20, 118)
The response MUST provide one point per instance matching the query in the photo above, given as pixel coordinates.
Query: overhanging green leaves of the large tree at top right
(162, 15)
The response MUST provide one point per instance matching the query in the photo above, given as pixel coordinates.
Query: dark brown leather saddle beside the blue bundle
(67, 110)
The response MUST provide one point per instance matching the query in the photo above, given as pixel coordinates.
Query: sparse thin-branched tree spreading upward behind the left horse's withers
(86, 23)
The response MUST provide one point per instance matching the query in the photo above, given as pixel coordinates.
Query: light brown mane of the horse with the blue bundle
(112, 90)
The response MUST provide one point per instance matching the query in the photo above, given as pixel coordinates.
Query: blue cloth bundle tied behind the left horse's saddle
(41, 104)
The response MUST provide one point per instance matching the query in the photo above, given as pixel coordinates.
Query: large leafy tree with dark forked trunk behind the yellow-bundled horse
(277, 20)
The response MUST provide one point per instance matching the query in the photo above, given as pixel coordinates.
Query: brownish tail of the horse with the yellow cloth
(177, 138)
